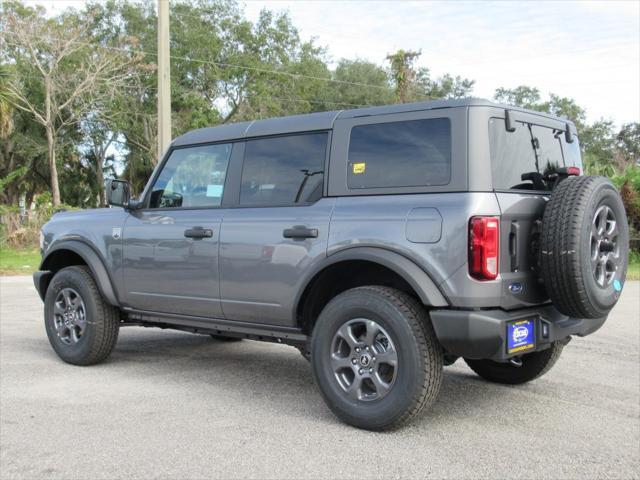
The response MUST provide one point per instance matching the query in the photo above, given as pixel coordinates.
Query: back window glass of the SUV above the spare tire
(531, 149)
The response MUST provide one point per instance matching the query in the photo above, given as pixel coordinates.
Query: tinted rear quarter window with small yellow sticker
(400, 154)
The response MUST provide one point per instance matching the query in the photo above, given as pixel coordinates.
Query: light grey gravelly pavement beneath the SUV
(174, 405)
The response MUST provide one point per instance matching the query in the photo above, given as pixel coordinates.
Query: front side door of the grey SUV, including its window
(170, 247)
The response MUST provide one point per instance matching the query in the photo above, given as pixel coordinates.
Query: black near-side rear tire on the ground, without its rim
(419, 357)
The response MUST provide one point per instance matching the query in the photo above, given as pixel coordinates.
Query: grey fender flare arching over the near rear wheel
(416, 277)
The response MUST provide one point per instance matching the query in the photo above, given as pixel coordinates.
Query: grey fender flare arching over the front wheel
(90, 257)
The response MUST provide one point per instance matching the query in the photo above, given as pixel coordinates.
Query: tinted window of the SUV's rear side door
(283, 171)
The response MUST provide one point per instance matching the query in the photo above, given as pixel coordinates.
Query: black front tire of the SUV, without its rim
(103, 320)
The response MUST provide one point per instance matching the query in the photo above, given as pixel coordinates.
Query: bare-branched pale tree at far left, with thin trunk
(74, 74)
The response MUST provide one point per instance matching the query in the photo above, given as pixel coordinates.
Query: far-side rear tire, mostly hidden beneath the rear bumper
(534, 365)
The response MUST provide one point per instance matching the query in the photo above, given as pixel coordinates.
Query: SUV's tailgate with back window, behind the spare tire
(535, 147)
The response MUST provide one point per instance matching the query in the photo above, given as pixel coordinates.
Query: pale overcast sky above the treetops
(586, 50)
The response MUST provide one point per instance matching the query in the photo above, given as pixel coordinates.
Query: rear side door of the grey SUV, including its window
(277, 229)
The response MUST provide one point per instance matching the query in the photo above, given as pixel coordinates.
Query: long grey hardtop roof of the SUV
(325, 120)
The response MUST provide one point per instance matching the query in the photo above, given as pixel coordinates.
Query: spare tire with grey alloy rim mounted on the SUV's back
(584, 246)
